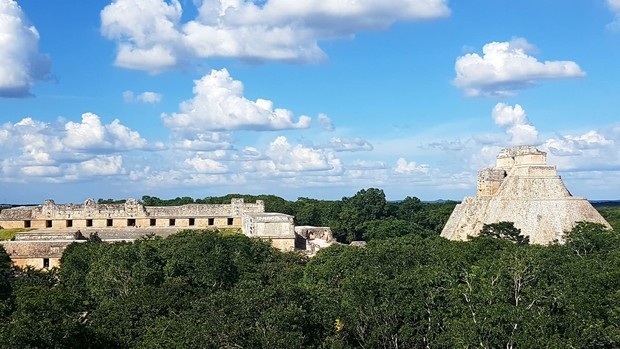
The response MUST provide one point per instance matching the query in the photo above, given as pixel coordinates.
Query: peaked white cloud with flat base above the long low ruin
(219, 104)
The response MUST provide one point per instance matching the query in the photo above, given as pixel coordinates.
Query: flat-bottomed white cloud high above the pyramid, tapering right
(506, 67)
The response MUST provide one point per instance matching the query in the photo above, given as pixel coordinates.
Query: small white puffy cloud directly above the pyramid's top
(515, 122)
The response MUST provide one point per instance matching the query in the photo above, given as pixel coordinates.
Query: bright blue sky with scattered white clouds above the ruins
(314, 98)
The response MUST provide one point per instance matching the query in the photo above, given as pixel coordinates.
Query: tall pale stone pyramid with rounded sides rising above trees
(522, 189)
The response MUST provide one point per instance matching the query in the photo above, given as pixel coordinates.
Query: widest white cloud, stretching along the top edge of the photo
(151, 35)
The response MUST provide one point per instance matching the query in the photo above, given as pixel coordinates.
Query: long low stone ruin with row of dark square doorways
(55, 226)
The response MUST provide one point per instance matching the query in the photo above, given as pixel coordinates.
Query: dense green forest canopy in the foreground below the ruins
(207, 290)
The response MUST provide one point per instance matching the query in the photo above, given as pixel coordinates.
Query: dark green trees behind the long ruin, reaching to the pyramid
(365, 216)
